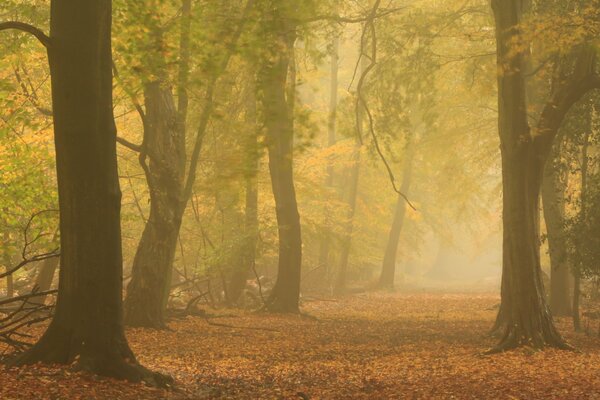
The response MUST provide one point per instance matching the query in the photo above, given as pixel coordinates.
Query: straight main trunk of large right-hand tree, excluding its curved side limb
(524, 317)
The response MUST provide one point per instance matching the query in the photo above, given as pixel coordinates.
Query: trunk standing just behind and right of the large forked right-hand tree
(553, 196)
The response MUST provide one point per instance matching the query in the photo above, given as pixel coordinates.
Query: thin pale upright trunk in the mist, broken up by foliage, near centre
(331, 140)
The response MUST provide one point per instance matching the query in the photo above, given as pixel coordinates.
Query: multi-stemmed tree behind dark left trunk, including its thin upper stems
(164, 144)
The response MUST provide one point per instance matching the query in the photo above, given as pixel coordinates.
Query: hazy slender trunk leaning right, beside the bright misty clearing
(388, 270)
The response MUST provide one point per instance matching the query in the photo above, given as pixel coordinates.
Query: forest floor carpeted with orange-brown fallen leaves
(367, 346)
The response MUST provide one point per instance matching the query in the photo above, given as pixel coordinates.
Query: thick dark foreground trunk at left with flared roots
(87, 326)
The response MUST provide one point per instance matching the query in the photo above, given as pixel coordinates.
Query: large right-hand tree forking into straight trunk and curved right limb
(524, 317)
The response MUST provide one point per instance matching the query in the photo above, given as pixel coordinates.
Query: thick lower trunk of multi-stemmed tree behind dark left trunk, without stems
(164, 144)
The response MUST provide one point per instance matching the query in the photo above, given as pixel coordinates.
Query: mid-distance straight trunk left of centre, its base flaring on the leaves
(277, 104)
